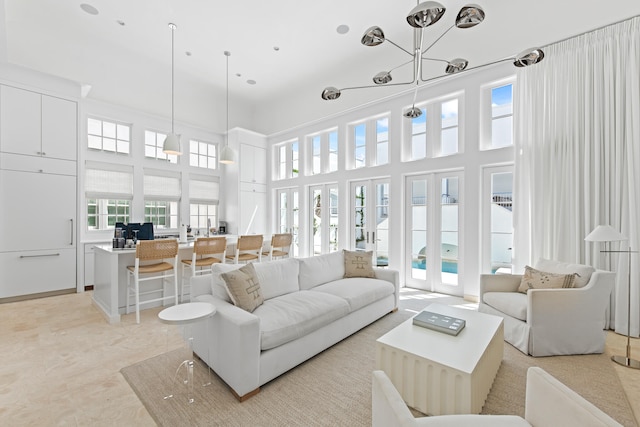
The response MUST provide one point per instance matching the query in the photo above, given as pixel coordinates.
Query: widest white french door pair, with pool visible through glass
(434, 234)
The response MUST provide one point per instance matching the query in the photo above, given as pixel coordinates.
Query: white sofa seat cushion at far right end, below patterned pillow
(357, 291)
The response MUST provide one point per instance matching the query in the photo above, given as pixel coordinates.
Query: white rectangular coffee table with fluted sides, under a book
(437, 373)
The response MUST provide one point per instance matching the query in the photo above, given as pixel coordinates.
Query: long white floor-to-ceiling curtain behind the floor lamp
(577, 127)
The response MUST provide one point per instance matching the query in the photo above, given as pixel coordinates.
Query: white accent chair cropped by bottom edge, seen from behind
(548, 403)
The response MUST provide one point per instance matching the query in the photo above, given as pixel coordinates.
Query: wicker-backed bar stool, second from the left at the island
(206, 252)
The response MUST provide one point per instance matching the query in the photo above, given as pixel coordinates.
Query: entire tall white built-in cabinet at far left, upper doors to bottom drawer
(38, 193)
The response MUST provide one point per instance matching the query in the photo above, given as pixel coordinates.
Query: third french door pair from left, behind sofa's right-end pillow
(370, 218)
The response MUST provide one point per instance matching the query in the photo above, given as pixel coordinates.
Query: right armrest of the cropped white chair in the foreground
(548, 402)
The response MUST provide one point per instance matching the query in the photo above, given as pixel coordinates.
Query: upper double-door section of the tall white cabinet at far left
(37, 125)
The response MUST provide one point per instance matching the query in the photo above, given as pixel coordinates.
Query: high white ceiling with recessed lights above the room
(124, 52)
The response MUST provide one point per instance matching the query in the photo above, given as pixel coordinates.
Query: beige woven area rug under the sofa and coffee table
(334, 387)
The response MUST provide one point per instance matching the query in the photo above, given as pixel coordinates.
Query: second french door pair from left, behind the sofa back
(323, 210)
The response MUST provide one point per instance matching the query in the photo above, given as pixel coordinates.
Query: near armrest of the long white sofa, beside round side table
(230, 342)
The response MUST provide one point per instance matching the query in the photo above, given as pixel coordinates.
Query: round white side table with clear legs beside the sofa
(187, 314)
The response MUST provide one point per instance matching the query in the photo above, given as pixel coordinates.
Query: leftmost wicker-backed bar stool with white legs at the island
(152, 257)
